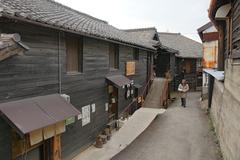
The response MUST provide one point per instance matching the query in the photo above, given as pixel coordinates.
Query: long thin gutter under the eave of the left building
(75, 32)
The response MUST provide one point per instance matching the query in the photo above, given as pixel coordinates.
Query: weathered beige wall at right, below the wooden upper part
(225, 111)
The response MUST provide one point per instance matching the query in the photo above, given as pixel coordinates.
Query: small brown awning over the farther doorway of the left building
(119, 80)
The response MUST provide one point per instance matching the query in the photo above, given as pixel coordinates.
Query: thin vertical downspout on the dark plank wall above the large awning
(59, 65)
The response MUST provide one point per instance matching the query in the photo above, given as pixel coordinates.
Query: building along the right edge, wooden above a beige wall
(224, 101)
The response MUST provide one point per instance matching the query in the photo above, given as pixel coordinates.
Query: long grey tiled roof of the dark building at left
(54, 14)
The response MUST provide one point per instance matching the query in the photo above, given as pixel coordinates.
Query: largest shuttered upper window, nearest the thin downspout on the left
(74, 46)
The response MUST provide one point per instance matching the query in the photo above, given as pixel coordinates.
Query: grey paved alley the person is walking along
(179, 134)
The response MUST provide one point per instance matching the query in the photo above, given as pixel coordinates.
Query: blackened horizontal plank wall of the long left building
(36, 73)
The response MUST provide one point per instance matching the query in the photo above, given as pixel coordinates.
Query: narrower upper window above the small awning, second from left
(113, 56)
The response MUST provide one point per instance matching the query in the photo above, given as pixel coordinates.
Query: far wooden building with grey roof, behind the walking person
(187, 58)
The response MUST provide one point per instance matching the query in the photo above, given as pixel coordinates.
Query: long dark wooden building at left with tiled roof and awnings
(99, 69)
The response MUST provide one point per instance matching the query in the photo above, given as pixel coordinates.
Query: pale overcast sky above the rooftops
(166, 15)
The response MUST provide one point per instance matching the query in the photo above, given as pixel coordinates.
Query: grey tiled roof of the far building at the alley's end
(186, 47)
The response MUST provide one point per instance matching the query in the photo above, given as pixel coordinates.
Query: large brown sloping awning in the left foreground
(31, 114)
